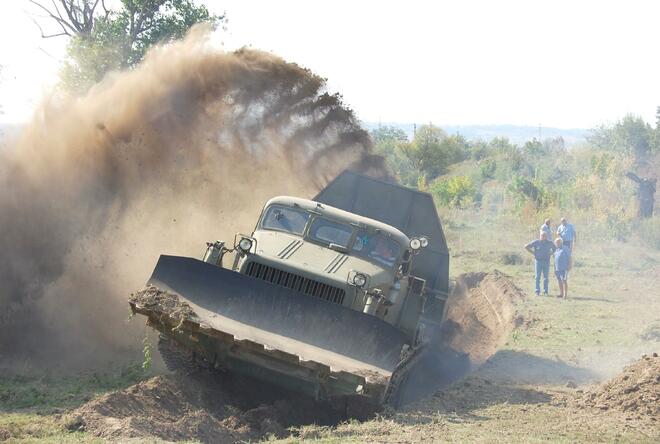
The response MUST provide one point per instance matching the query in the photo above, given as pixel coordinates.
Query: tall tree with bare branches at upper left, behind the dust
(104, 39)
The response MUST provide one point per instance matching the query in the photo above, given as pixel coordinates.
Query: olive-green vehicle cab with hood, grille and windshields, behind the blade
(330, 254)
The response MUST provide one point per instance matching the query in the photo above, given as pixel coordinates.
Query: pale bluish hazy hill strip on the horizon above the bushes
(516, 134)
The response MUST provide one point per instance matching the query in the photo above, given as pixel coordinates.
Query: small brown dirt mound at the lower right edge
(636, 389)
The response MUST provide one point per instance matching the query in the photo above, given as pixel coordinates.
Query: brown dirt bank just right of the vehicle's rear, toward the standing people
(482, 313)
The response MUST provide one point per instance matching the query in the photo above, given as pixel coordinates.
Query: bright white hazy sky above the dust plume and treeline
(555, 63)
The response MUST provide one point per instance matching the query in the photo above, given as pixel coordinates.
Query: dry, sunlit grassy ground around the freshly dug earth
(611, 318)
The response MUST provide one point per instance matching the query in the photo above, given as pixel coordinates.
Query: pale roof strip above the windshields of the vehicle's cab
(341, 216)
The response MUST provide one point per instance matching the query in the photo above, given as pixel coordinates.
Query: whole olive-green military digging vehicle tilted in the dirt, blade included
(336, 296)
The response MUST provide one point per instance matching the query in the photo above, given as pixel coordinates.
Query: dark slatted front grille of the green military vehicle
(295, 282)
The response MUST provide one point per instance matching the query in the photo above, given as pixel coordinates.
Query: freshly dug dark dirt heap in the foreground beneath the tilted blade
(202, 407)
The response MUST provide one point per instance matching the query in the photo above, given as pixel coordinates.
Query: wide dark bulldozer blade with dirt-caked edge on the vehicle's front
(274, 333)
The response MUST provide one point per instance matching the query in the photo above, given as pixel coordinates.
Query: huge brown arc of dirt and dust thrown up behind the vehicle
(183, 149)
